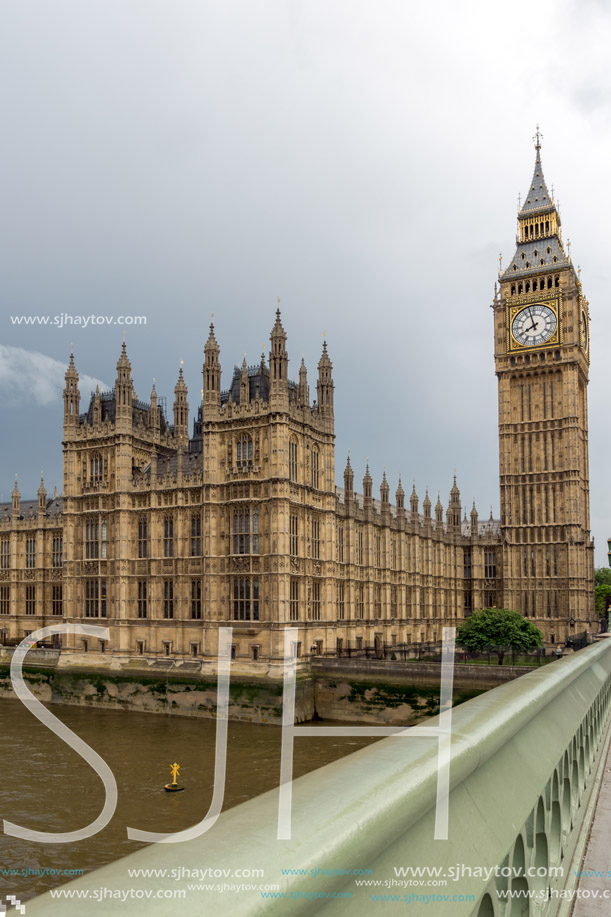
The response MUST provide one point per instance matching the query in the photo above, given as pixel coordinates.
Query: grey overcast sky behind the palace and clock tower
(361, 160)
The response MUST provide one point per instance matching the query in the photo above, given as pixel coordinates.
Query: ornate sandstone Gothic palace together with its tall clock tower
(164, 533)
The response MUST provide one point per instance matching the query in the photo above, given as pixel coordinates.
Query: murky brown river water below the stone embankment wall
(46, 786)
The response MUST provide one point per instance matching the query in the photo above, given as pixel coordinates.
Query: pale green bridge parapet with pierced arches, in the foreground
(527, 759)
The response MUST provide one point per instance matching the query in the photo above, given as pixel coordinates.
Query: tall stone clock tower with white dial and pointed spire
(541, 332)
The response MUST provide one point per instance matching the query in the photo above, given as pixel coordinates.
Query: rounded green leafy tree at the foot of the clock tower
(498, 628)
